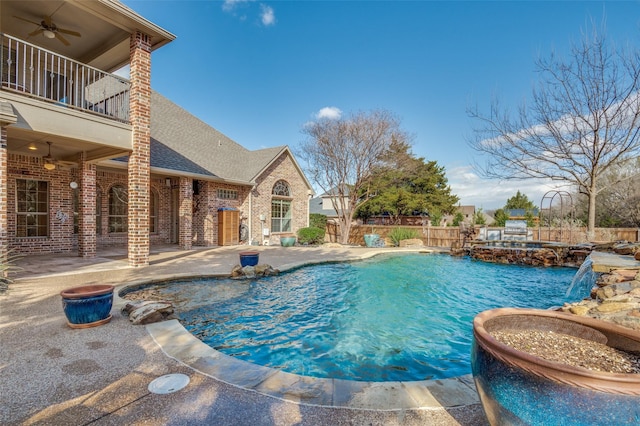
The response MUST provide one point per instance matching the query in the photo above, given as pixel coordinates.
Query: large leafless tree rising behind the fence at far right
(584, 118)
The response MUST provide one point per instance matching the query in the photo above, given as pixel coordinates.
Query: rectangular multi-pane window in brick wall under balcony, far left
(32, 210)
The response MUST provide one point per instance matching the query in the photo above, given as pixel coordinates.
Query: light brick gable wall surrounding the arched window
(281, 169)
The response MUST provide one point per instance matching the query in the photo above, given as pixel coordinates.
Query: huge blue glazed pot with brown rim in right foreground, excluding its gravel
(517, 388)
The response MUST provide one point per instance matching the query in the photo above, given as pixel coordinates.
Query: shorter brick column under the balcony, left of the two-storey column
(87, 210)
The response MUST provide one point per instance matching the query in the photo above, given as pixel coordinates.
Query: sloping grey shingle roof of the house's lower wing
(182, 142)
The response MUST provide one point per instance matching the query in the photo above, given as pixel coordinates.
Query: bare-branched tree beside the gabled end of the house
(340, 155)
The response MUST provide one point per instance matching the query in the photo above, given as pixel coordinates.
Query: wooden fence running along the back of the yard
(445, 236)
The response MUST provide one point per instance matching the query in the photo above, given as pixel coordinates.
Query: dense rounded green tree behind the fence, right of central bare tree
(405, 185)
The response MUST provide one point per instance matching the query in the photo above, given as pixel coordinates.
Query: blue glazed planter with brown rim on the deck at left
(87, 306)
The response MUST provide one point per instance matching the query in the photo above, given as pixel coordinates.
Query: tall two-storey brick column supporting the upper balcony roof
(139, 160)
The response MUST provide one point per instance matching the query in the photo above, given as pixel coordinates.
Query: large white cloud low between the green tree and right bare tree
(493, 194)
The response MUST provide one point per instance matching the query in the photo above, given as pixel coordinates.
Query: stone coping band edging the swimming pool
(179, 344)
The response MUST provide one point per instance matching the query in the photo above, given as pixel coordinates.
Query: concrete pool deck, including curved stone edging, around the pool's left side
(53, 374)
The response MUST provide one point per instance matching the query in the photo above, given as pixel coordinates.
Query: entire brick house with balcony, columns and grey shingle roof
(90, 159)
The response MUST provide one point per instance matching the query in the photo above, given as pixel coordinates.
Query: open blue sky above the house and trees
(259, 70)
